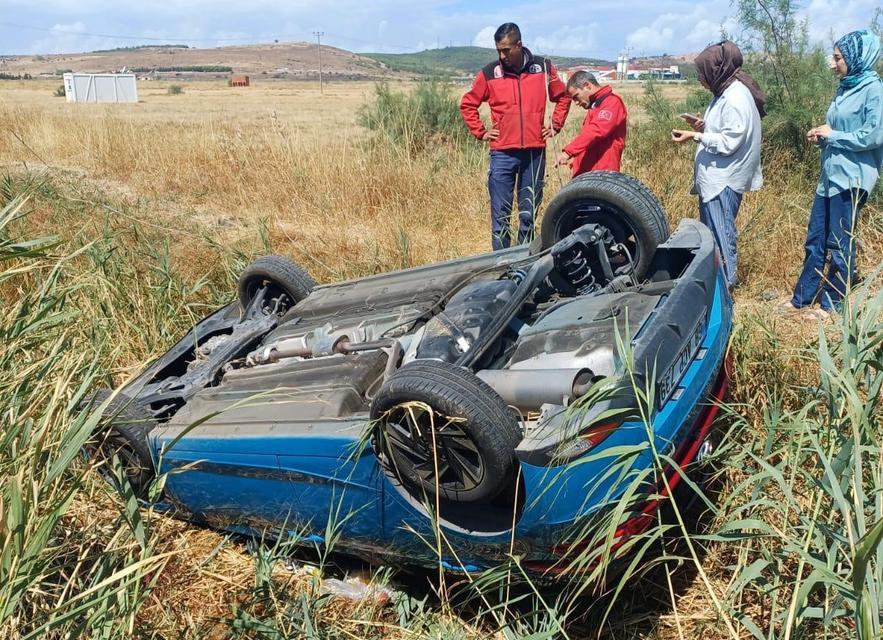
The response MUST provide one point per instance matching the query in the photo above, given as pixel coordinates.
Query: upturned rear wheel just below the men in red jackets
(613, 200)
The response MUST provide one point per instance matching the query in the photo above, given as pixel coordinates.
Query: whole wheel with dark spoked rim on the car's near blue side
(474, 430)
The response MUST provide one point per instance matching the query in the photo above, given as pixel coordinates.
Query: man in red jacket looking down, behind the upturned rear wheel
(599, 144)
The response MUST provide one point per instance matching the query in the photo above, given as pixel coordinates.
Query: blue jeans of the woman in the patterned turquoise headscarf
(829, 232)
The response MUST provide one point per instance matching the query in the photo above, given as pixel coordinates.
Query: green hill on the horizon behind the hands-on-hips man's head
(456, 61)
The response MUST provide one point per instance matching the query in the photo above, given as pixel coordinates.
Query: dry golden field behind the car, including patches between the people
(280, 166)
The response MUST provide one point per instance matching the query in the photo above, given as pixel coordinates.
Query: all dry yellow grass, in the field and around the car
(219, 170)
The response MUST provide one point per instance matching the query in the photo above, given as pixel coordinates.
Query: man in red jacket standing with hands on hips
(515, 87)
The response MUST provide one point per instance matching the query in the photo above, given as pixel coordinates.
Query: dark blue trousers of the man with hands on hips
(527, 167)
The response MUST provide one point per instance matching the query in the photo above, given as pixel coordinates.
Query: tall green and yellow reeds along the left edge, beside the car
(55, 578)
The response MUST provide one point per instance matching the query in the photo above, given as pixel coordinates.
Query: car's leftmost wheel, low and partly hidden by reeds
(122, 432)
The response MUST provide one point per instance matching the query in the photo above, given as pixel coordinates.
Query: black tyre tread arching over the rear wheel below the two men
(646, 214)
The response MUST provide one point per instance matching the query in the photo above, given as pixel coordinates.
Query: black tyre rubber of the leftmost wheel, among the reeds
(130, 423)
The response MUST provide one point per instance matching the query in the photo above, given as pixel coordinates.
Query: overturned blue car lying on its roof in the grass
(475, 398)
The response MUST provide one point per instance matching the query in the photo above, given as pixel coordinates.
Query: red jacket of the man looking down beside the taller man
(599, 144)
